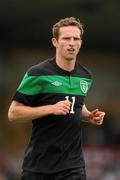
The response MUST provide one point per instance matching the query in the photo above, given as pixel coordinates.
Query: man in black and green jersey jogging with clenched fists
(51, 95)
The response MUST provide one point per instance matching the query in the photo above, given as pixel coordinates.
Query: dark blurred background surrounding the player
(25, 39)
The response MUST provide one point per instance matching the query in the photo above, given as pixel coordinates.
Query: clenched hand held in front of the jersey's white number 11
(61, 108)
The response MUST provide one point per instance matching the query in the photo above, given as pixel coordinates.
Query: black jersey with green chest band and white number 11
(55, 142)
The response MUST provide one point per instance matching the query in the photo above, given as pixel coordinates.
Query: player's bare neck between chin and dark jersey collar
(65, 64)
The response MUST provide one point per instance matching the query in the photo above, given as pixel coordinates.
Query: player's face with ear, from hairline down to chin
(69, 42)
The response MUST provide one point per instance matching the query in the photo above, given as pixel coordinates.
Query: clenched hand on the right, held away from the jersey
(96, 117)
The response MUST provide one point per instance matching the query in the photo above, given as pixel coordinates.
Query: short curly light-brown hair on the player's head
(69, 21)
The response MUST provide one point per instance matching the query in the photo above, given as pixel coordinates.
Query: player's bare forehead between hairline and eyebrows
(69, 31)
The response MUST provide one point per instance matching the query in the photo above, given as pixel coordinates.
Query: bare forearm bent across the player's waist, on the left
(26, 113)
